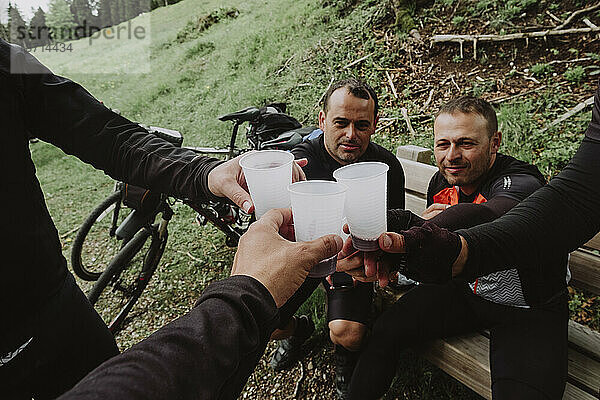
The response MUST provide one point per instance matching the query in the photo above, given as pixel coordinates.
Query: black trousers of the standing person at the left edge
(69, 340)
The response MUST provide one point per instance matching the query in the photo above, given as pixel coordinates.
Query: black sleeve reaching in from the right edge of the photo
(554, 220)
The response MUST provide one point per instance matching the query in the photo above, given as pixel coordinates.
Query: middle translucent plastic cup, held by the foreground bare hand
(318, 207)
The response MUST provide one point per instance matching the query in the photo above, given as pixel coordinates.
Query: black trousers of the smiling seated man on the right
(528, 347)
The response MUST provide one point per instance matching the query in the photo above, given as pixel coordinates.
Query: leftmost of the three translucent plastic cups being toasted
(268, 174)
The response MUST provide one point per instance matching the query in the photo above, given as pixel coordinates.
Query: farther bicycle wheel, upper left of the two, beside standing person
(104, 247)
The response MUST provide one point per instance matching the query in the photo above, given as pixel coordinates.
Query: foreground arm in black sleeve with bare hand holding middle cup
(210, 352)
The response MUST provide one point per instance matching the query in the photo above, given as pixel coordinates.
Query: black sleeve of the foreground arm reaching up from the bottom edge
(208, 353)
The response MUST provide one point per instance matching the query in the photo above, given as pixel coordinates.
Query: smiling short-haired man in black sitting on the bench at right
(475, 184)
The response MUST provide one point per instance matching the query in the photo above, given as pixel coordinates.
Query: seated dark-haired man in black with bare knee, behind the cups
(348, 120)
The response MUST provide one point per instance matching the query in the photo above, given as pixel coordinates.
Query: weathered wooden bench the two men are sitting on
(466, 358)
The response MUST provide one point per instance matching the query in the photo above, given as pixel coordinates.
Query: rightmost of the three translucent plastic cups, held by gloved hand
(366, 199)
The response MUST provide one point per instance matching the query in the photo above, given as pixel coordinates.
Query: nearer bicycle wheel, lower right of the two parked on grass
(122, 283)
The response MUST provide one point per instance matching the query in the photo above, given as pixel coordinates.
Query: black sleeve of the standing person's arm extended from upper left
(63, 113)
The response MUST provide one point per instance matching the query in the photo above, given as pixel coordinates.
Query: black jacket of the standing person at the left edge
(63, 113)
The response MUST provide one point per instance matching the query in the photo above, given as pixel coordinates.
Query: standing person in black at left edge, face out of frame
(51, 337)
